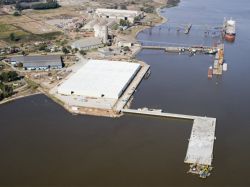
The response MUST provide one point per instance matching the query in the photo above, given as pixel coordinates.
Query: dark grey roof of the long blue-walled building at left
(38, 61)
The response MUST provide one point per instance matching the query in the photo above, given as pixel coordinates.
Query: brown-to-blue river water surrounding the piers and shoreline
(42, 144)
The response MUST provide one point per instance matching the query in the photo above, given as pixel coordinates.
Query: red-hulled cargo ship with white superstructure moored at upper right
(229, 30)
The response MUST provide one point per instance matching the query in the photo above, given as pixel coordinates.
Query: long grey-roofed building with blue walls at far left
(38, 62)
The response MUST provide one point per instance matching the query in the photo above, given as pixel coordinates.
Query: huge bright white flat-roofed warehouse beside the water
(100, 79)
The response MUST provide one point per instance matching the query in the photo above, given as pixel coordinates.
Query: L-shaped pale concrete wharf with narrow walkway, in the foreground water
(201, 142)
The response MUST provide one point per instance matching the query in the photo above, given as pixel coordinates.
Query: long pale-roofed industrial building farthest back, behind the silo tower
(129, 15)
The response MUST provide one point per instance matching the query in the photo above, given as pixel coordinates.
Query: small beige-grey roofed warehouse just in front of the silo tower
(88, 43)
